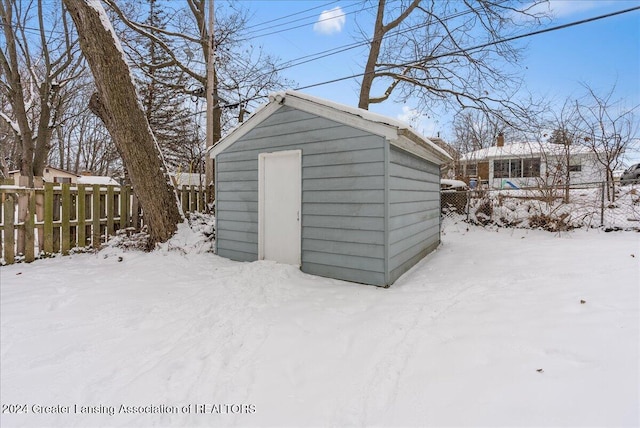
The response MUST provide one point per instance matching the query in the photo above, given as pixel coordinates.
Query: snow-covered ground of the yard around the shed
(498, 327)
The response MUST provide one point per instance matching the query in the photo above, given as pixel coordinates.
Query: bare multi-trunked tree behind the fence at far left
(36, 70)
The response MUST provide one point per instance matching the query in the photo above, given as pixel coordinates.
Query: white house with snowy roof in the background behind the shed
(530, 164)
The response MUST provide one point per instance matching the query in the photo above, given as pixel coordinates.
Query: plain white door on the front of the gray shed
(279, 204)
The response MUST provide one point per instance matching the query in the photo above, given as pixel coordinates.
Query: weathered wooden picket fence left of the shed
(59, 218)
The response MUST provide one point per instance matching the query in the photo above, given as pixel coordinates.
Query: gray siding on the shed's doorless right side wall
(414, 210)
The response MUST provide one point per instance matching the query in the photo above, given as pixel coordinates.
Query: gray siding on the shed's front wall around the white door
(342, 194)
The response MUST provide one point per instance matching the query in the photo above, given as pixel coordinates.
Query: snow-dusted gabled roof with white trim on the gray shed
(396, 132)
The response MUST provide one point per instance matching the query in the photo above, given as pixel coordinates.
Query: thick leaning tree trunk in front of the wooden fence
(116, 103)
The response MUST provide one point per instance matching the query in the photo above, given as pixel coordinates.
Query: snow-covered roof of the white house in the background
(522, 150)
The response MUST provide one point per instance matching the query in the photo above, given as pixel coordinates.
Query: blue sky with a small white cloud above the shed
(600, 53)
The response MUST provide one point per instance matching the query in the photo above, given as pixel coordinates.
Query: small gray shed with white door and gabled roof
(339, 191)
